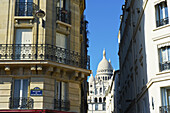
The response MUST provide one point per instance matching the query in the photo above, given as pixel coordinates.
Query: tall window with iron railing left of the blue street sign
(19, 99)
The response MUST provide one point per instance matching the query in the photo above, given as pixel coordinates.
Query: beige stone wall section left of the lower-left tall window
(5, 92)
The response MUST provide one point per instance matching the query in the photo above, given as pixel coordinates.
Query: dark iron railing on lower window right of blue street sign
(62, 105)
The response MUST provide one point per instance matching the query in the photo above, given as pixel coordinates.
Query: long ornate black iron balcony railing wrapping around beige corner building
(43, 52)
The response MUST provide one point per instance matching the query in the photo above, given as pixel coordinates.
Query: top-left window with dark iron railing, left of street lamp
(24, 8)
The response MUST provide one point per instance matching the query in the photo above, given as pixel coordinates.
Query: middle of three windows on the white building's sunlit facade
(164, 58)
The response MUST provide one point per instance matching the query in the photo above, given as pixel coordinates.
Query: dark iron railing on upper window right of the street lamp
(63, 15)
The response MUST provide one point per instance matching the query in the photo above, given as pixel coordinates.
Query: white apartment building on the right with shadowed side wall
(144, 54)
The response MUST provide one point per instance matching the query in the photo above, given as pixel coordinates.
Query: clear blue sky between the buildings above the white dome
(104, 21)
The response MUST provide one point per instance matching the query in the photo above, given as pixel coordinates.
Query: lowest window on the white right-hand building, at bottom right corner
(165, 93)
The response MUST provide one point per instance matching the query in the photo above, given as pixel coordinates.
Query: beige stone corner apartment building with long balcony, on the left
(43, 56)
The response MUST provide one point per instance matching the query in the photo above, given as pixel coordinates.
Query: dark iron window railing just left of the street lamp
(25, 8)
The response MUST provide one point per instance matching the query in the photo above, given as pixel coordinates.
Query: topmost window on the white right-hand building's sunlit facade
(161, 14)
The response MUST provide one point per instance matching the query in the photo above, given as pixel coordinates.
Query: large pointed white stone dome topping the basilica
(104, 66)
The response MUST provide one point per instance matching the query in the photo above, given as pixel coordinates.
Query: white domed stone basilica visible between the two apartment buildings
(99, 85)
